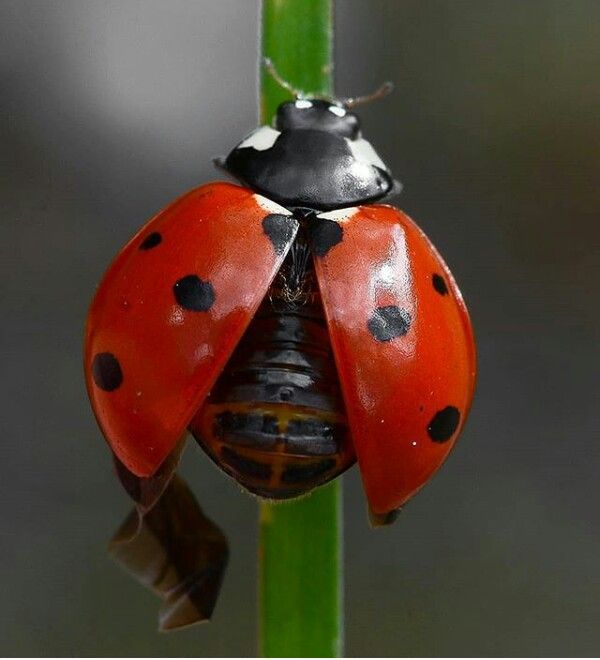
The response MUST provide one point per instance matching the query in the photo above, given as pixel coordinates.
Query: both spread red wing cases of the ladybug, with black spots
(178, 298)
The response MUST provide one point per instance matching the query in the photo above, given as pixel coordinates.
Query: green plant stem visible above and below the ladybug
(300, 551)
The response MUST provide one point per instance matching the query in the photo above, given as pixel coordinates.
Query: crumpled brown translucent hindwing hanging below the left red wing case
(170, 546)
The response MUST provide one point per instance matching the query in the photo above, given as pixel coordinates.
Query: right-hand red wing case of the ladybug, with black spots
(404, 349)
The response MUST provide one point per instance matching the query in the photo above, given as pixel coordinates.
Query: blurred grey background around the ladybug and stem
(111, 108)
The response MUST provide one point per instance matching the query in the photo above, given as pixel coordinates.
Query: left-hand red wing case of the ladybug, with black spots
(171, 309)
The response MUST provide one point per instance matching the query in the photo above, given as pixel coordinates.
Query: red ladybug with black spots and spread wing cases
(289, 324)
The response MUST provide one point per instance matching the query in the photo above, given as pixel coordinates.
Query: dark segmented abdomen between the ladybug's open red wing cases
(275, 420)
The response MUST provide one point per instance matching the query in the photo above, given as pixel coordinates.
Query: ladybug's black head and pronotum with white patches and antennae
(313, 156)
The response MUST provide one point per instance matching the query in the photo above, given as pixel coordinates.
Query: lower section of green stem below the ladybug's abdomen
(301, 576)
